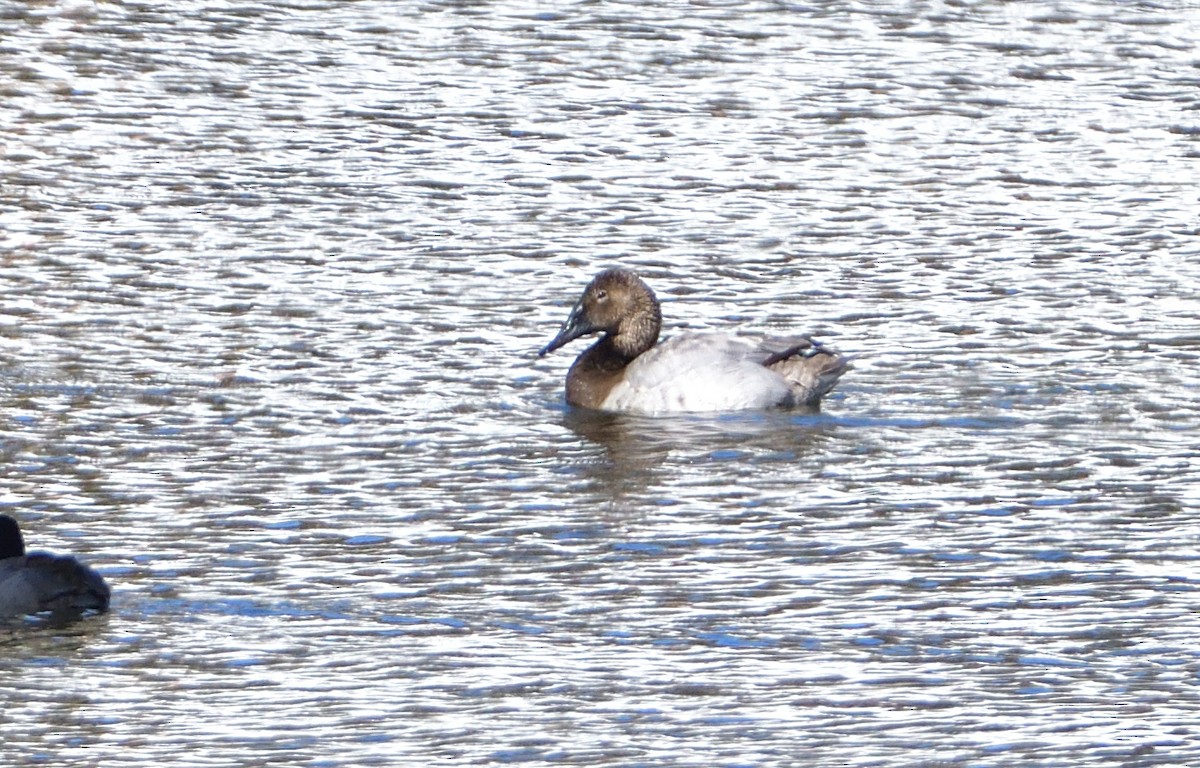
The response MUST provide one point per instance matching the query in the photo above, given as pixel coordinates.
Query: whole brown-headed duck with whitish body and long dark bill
(627, 371)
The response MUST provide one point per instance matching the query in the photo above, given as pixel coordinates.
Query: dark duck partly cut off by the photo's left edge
(39, 581)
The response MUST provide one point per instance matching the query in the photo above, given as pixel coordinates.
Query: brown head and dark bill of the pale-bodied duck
(622, 307)
